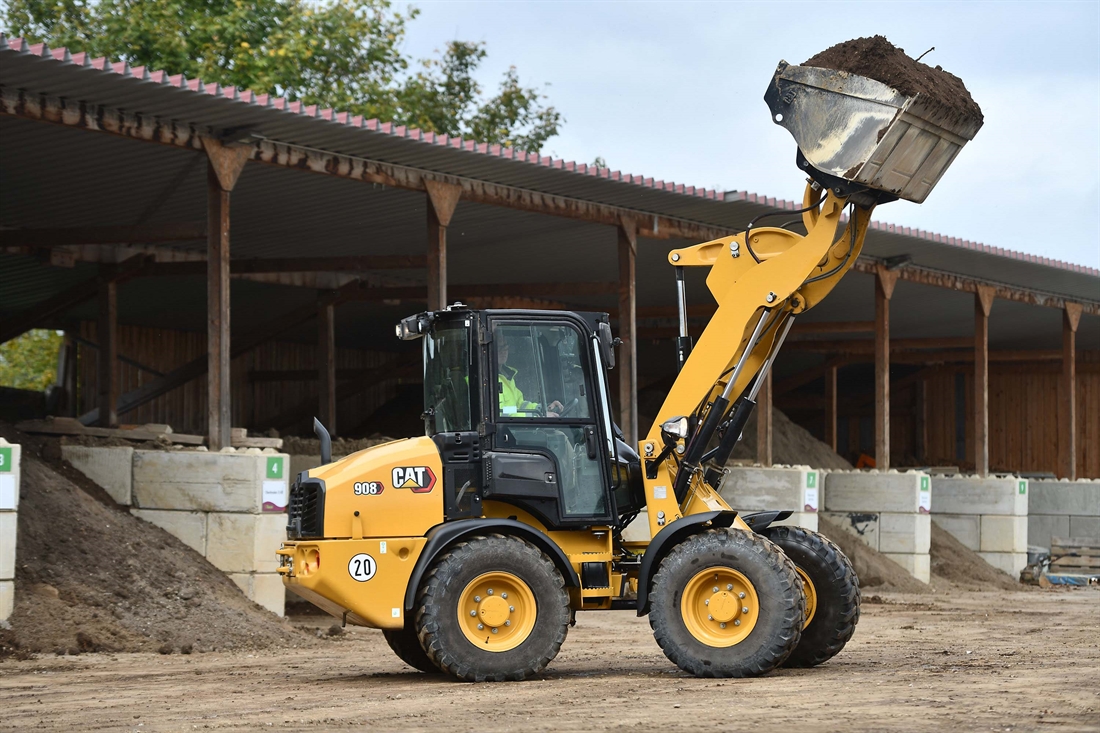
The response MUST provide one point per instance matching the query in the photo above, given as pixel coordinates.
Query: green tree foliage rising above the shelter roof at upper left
(344, 54)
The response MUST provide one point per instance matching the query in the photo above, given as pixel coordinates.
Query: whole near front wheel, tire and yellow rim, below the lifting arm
(727, 604)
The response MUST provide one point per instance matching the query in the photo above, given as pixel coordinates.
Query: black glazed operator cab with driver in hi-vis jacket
(518, 403)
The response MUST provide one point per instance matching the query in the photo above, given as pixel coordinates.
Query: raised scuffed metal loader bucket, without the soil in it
(866, 133)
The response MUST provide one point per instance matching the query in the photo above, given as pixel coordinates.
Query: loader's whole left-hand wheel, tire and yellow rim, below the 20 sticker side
(493, 609)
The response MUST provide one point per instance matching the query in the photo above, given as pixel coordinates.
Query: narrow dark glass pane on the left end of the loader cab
(447, 379)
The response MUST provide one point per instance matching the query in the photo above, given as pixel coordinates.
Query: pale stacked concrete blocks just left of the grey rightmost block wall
(988, 515)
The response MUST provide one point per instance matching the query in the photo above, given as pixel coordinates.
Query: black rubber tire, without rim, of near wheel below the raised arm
(779, 597)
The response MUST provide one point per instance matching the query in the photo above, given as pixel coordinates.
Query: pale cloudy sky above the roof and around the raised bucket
(675, 91)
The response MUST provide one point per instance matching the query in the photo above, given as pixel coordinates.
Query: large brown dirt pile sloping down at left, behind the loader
(92, 578)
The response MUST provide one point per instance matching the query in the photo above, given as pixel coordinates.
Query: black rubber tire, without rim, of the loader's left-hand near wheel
(437, 620)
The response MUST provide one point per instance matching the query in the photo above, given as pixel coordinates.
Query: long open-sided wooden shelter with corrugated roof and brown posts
(218, 258)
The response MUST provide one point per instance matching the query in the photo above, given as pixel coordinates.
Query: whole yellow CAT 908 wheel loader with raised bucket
(475, 548)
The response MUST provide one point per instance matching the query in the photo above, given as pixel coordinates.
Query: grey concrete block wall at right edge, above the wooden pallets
(1058, 508)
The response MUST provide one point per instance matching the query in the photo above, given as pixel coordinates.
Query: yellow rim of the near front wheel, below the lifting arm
(720, 607)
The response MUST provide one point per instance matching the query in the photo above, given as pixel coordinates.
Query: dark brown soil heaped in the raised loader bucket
(879, 60)
